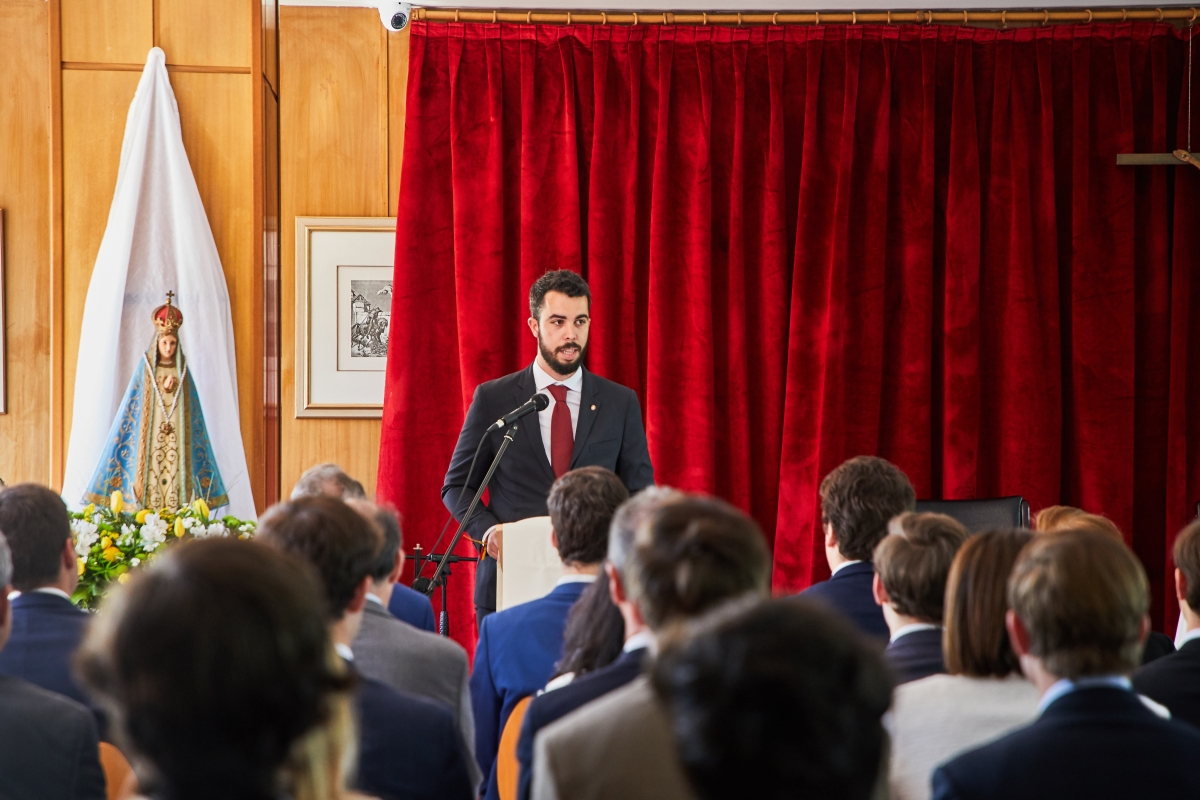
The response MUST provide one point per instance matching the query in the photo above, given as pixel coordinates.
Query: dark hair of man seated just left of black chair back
(860, 498)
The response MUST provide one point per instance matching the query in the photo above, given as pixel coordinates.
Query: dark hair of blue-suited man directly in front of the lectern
(581, 506)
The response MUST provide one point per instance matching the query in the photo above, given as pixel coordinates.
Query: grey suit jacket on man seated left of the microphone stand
(416, 661)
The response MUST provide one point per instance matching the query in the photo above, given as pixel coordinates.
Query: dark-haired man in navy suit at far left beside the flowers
(47, 628)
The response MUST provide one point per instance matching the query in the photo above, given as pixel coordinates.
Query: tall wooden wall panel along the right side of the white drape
(218, 121)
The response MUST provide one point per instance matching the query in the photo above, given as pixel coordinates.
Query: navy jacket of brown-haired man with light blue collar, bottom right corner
(1093, 743)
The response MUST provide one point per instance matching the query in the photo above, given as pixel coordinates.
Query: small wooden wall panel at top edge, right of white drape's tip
(209, 33)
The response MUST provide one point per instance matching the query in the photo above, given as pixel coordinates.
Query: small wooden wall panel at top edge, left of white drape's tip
(119, 32)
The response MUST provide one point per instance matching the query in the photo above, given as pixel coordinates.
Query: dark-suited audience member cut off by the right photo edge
(1175, 681)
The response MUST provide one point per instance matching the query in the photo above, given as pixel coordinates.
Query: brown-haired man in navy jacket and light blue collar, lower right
(1078, 619)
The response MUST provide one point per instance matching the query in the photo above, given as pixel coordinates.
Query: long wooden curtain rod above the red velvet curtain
(964, 17)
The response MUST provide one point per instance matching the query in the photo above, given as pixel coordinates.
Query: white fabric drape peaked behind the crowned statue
(158, 240)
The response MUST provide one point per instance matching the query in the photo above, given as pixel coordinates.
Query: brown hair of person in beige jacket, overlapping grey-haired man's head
(693, 555)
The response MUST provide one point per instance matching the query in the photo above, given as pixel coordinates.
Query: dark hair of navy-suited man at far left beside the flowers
(35, 522)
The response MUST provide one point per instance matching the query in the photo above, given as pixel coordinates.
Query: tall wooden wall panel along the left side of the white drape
(95, 105)
